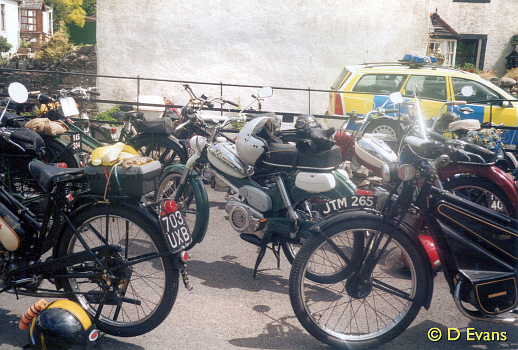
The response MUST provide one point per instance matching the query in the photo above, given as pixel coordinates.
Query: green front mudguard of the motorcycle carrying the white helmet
(202, 201)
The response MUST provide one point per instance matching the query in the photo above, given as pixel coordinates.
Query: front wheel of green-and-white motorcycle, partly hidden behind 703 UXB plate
(187, 203)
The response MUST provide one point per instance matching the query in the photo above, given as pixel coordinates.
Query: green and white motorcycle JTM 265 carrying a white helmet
(274, 191)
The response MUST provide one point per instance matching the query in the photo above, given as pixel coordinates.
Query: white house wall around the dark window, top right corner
(497, 19)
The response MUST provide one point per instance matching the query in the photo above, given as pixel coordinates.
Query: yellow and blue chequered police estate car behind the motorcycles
(364, 87)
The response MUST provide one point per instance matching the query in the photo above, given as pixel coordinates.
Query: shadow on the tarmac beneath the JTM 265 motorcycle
(227, 273)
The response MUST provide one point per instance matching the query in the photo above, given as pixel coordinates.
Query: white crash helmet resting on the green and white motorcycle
(252, 140)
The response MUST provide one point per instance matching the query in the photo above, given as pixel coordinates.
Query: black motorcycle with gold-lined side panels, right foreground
(378, 272)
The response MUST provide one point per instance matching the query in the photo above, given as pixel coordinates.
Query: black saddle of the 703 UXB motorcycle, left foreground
(48, 175)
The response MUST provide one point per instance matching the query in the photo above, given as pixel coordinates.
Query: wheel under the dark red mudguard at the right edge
(481, 191)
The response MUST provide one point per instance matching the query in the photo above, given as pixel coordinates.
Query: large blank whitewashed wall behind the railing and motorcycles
(297, 43)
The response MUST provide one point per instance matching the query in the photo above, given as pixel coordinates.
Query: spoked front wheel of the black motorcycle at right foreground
(358, 312)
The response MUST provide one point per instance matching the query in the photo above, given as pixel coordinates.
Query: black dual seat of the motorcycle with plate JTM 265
(287, 156)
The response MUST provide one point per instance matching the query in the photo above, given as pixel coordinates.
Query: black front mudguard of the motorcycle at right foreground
(355, 214)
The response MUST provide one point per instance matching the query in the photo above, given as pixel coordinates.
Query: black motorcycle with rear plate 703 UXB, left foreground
(101, 248)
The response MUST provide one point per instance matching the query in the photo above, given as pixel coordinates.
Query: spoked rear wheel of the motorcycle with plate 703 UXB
(140, 296)
